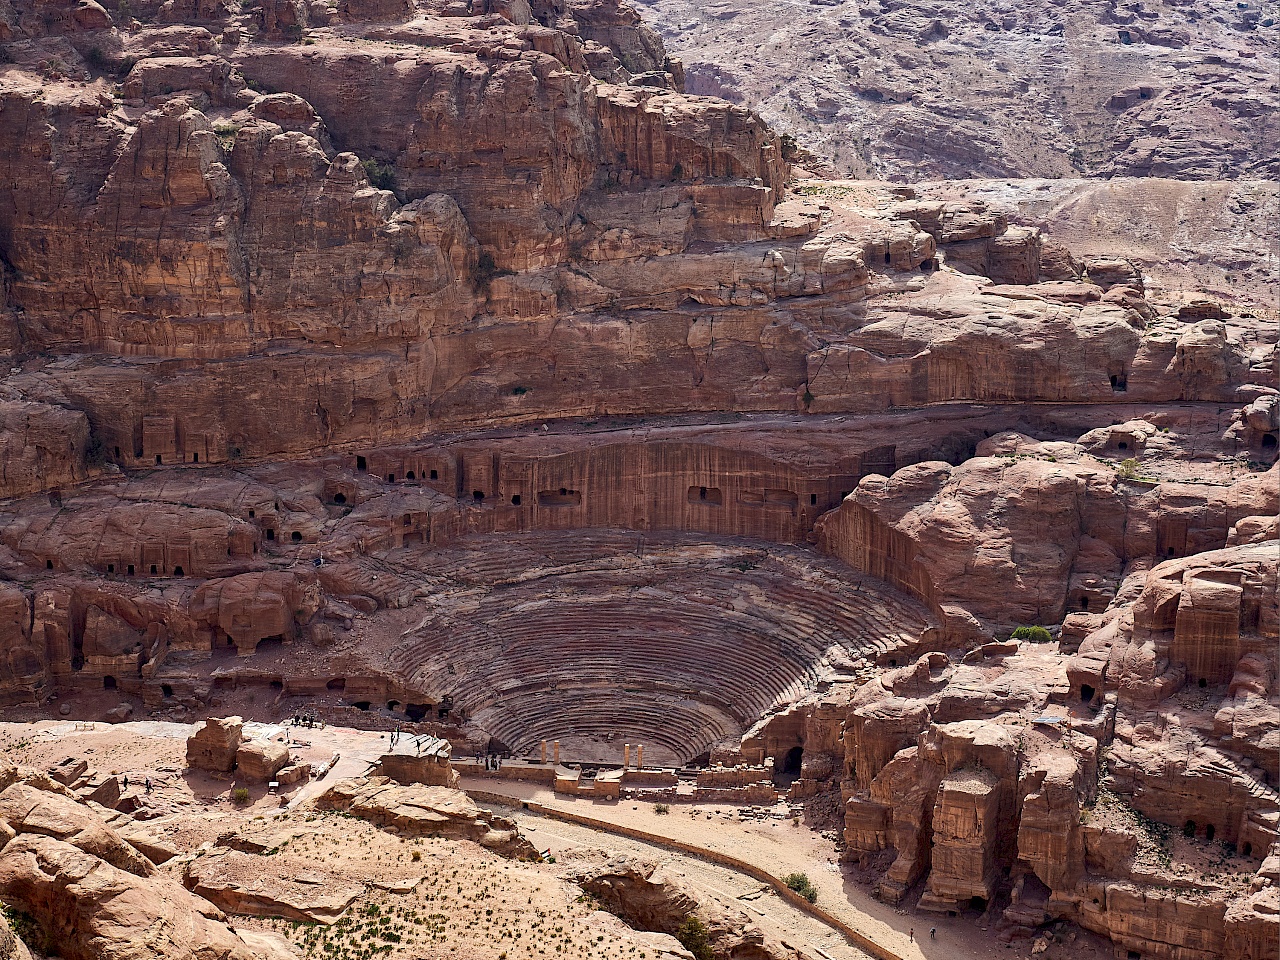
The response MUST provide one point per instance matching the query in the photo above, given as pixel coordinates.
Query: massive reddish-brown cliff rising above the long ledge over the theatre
(451, 221)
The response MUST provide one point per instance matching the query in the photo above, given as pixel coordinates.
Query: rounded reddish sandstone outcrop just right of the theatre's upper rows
(1039, 529)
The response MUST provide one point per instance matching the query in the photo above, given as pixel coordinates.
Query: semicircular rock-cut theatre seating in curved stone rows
(601, 638)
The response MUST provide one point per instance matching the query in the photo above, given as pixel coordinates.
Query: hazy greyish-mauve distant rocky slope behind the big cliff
(925, 90)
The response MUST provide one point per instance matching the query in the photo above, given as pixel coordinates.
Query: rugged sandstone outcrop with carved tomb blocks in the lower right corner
(1085, 764)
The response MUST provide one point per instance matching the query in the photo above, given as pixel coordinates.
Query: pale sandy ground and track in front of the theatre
(189, 810)
